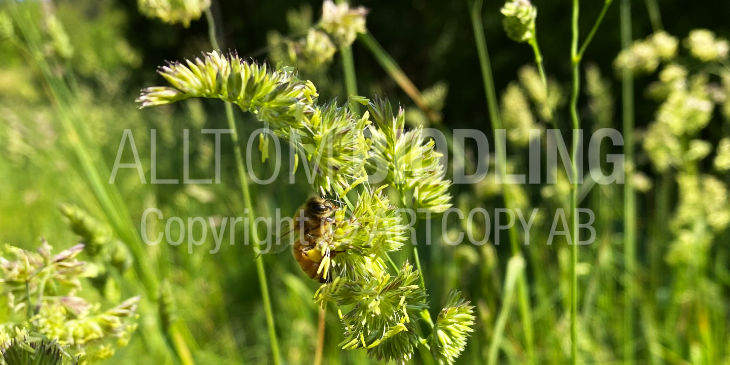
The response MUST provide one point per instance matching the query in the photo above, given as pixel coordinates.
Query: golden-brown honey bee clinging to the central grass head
(314, 226)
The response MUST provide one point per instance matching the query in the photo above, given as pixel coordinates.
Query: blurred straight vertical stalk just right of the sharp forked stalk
(627, 94)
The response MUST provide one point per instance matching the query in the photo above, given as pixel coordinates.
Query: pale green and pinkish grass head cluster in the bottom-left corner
(43, 295)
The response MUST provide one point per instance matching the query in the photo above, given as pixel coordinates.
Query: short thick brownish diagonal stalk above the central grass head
(397, 74)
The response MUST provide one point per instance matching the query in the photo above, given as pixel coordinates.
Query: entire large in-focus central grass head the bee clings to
(379, 308)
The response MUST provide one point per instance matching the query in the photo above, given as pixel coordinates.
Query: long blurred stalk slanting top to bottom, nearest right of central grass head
(494, 114)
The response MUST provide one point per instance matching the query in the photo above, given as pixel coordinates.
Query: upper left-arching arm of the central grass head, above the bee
(327, 134)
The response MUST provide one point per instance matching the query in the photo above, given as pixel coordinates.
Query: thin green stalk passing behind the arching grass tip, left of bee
(245, 193)
